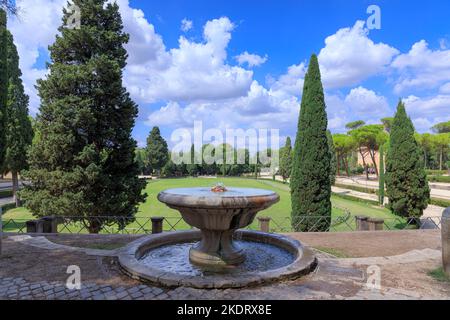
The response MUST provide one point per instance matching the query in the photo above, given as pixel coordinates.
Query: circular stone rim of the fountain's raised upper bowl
(218, 200)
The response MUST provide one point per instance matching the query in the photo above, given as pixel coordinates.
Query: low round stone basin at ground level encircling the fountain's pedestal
(133, 261)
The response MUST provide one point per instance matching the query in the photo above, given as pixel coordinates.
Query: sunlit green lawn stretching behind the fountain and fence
(280, 212)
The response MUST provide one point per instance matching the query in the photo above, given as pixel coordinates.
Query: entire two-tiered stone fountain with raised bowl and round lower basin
(218, 254)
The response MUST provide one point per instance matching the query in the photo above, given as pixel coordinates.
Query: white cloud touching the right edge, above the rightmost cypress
(422, 68)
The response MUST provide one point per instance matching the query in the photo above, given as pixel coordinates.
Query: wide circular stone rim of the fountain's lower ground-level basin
(305, 262)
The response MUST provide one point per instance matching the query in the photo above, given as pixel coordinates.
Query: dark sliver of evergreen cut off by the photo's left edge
(3, 84)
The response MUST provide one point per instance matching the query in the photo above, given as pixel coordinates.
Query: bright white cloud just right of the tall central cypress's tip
(350, 57)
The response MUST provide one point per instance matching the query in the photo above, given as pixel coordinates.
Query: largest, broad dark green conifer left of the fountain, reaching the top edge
(83, 163)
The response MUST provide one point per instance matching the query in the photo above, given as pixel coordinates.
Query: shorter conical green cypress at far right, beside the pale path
(406, 180)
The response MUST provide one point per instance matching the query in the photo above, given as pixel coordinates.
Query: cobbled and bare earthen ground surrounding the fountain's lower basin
(36, 268)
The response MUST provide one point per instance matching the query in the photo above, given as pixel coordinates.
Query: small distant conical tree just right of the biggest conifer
(157, 150)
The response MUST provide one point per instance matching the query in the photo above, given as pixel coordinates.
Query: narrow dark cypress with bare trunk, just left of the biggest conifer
(19, 133)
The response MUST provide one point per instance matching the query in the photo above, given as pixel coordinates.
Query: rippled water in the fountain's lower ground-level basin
(259, 257)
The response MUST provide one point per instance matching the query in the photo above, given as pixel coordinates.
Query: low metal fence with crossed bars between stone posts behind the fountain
(144, 225)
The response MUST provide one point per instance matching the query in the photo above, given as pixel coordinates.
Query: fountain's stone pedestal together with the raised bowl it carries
(218, 216)
